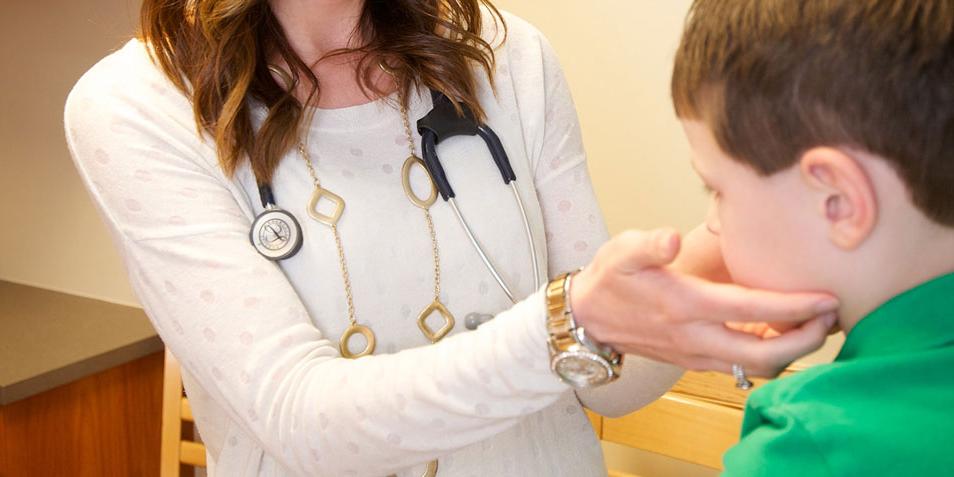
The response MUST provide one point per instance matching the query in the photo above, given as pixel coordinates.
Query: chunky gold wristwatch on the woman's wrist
(577, 359)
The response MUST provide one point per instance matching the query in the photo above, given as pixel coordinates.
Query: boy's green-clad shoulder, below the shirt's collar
(878, 416)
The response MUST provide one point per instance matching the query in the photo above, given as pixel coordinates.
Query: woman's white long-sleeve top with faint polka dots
(258, 340)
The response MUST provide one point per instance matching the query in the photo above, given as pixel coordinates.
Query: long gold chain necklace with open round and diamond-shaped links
(331, 220)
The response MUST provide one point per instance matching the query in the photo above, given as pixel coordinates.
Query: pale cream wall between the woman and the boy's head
(617, 55)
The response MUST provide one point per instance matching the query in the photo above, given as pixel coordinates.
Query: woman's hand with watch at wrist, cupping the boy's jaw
(631, 298)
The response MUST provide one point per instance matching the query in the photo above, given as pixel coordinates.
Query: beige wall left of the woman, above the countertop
(53, 236)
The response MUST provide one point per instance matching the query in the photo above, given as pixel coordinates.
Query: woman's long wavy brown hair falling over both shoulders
(217, 51)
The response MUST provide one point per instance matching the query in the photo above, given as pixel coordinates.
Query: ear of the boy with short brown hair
(845, 195)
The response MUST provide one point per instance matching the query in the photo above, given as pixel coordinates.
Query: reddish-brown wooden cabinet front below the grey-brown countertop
(103, 425)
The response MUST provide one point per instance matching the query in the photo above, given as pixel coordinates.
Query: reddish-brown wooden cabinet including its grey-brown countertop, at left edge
(80, 386)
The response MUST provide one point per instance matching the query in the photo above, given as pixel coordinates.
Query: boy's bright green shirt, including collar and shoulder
(885, 406)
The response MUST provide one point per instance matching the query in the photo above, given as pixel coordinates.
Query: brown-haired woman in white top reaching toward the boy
(175, 133)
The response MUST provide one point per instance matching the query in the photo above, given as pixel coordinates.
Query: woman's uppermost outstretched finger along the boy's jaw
(722, 302)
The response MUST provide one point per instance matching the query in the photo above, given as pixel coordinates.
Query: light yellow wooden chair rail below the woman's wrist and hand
(679, 427)
